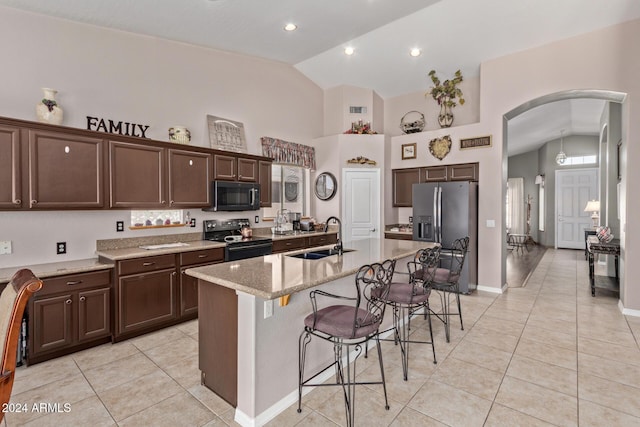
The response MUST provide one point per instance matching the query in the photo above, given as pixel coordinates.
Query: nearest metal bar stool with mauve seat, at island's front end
(347, 328)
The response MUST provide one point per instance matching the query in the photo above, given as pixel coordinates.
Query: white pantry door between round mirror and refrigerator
(361, 203)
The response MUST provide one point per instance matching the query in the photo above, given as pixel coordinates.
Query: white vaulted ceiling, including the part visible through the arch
(451, 34)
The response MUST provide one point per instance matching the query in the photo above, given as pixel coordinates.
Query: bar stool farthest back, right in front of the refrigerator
(445, 281)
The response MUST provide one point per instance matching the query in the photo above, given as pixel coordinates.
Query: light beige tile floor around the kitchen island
(545, 354)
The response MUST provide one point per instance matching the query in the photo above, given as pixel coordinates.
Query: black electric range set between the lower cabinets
(239, 248)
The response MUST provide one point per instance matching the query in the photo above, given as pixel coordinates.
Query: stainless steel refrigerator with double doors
(444, 212)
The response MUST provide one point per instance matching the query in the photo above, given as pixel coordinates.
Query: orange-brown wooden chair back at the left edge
(13, 302)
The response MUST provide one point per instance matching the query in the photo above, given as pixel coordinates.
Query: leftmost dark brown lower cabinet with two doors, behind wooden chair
(70, 313)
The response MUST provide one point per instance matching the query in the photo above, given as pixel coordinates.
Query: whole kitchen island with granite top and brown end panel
(248, 351)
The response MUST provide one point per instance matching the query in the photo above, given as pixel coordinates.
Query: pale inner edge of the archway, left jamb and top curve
(609, 96)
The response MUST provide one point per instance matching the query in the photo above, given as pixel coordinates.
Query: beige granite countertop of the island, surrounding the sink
(277, 275)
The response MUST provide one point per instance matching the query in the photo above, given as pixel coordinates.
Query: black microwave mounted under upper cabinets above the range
(234, 196)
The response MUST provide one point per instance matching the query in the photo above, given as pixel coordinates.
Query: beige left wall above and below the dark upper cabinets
(121, 76)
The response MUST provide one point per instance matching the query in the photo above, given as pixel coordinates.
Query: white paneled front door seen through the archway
(574, 188)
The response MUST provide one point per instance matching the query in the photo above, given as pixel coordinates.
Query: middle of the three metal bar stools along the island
(406, 299)
